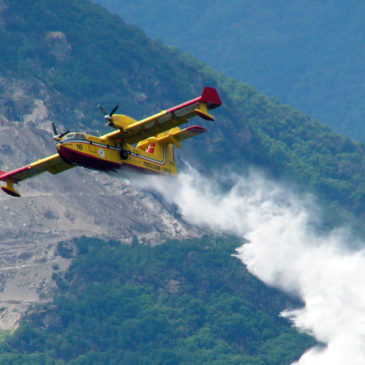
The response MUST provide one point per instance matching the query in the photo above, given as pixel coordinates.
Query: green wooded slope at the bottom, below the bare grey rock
(179, 303)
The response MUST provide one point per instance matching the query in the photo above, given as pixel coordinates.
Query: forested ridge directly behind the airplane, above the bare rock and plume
(70, 63)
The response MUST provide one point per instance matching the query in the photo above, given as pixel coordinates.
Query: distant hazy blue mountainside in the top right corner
(306, 54)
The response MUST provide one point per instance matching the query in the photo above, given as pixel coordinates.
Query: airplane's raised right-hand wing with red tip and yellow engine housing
(132, 131)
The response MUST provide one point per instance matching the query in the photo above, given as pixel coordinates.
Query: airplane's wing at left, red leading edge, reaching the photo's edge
(53, 164)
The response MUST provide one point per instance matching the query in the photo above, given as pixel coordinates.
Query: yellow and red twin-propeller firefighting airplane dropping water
(155, 137)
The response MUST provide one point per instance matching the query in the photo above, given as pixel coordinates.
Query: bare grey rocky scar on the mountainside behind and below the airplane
(77, 202)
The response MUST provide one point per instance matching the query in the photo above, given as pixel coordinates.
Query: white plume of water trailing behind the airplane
(285, 251)
